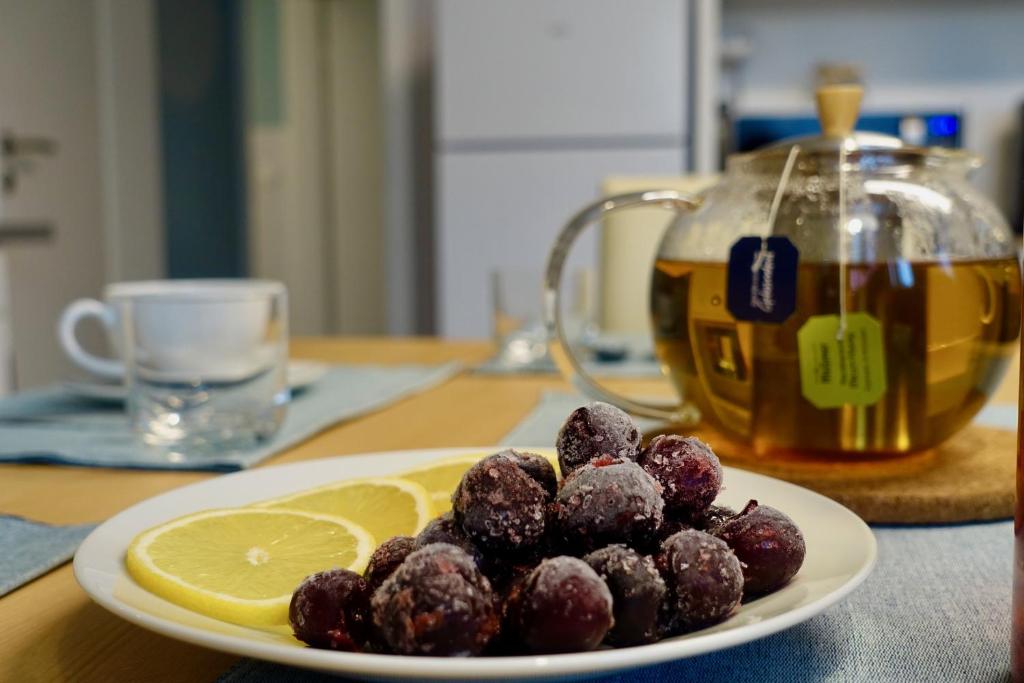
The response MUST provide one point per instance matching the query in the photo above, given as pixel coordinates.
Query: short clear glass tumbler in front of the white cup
(205, 362)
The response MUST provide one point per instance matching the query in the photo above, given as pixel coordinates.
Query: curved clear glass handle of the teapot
(682, 413)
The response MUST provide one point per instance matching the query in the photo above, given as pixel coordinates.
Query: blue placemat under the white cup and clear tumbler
(53, 426)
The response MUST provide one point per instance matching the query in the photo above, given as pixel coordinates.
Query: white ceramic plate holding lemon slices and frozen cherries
(841, 552)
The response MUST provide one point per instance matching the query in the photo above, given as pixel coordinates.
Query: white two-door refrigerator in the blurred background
(537, 102)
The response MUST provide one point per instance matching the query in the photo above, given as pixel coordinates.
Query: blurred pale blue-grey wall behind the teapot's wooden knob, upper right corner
(943, 56)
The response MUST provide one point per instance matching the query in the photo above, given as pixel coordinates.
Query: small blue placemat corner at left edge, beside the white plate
(30, 549)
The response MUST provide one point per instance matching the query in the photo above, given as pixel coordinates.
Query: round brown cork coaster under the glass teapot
(971, 478)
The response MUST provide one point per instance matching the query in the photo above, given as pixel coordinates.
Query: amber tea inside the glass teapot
(950, 333)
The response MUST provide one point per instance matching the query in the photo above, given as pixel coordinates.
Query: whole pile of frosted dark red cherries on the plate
(627, 550)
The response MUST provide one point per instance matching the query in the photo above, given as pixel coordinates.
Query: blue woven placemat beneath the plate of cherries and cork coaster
(936, 608)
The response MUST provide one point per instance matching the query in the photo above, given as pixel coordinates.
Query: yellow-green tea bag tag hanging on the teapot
(842, 370)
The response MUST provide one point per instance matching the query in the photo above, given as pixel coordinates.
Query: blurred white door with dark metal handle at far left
(53, 73)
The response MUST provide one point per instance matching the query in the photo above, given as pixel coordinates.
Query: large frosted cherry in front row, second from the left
(436, 604)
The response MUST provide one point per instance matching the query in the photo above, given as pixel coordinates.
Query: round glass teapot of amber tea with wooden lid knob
(842, 293)
